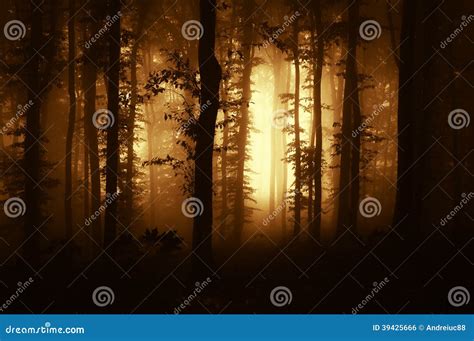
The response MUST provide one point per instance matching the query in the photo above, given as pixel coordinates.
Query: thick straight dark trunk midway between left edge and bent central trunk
(113, 147)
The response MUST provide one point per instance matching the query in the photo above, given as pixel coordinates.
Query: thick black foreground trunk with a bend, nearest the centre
(211, 73)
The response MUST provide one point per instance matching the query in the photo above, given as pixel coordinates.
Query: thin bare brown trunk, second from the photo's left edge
(71, 118)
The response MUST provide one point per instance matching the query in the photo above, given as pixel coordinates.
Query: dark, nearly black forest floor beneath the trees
(329, 279)
